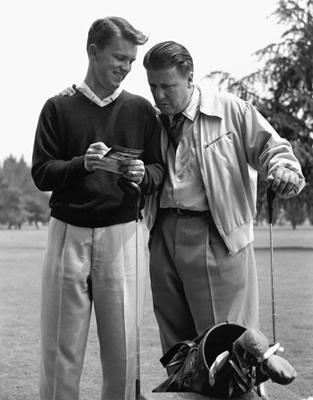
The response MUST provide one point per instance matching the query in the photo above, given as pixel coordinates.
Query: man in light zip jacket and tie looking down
(202, 261)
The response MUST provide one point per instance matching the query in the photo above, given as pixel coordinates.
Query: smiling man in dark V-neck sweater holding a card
(91, 252)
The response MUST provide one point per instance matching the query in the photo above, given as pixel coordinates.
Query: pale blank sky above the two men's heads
(43, 45)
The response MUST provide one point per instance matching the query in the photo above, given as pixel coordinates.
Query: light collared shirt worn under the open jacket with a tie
(183, 187)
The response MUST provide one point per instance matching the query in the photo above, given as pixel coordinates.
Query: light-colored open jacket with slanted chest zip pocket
(233, 143)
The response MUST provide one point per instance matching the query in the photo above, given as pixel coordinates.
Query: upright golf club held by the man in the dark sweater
(134, 191)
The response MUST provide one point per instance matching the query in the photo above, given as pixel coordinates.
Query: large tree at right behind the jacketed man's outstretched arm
(282, 90)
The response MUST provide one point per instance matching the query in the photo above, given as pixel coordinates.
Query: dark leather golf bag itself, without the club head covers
(193, 360)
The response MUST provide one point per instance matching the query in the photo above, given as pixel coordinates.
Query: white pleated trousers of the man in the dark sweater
(84, 266)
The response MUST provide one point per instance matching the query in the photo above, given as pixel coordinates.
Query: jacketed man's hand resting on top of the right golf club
(285, 182)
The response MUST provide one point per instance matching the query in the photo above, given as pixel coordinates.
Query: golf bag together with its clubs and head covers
(226, 361)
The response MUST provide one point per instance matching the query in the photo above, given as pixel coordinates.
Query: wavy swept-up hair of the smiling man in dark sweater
(104, 29)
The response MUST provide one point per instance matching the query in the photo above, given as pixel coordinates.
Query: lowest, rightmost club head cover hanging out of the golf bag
(279, 370)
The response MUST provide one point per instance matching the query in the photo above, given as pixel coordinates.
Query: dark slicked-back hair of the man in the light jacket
(167, 55)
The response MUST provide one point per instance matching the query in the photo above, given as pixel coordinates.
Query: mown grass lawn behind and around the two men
(21, 256)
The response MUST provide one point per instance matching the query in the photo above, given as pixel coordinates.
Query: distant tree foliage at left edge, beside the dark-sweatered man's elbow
(20, 200)
